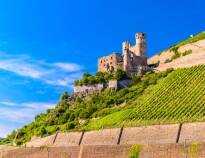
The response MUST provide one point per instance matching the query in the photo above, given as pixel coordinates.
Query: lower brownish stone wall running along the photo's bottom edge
(110, 151)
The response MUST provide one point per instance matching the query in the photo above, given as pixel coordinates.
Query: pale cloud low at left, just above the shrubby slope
(19, 114)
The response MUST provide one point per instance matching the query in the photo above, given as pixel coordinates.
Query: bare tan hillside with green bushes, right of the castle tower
(183, 54)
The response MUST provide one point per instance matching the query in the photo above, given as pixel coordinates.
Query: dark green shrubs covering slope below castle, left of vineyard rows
(67, 115)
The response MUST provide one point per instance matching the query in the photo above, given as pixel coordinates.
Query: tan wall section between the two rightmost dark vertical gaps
(158, 134)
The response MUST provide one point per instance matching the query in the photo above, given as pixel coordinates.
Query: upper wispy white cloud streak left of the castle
(57, 74)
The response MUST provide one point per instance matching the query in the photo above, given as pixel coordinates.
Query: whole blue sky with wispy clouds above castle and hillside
(46, 45)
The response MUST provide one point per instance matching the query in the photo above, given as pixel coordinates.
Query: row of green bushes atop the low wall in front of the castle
(100, 77)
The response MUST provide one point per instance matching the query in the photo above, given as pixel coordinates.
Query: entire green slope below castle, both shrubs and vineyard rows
(172, 96)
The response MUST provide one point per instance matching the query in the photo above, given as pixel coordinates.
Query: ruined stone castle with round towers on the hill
(132, 60)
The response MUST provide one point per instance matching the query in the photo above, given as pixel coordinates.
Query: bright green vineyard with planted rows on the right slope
(179, 97)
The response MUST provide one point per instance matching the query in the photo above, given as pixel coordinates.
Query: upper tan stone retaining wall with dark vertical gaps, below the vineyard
(157, 134)
